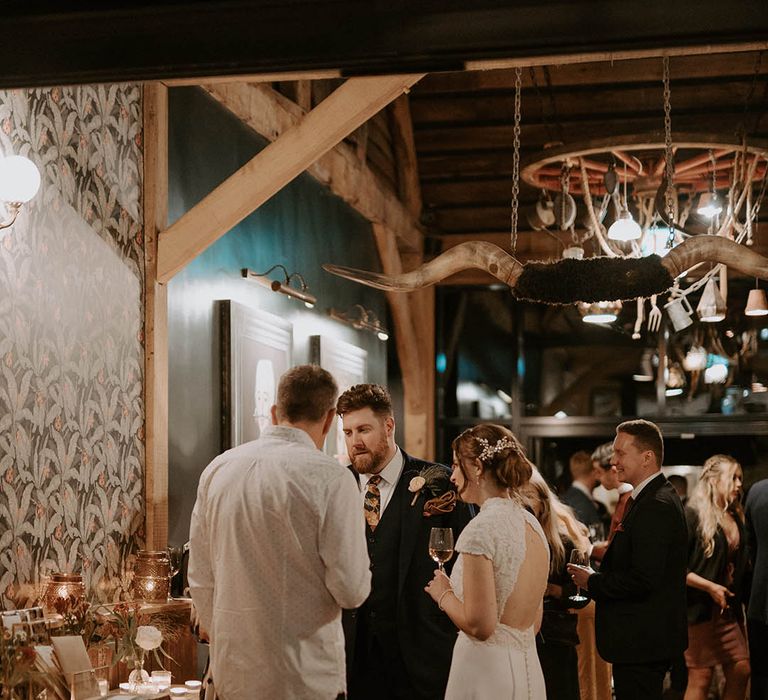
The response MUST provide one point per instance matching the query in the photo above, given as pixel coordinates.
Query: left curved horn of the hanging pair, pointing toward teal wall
(465, 256)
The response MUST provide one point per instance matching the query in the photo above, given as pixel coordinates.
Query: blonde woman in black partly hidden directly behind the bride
(558, 637)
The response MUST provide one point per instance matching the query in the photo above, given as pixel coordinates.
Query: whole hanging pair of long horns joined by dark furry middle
(569, 281)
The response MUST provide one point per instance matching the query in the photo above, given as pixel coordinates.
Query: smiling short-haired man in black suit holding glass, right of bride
(641, 621)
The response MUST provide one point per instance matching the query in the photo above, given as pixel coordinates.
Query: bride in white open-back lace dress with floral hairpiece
(496, 589)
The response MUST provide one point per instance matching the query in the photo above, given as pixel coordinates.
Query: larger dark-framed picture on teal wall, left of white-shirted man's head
(255, 351)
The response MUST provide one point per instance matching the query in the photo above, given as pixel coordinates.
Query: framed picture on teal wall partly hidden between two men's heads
(349, 366)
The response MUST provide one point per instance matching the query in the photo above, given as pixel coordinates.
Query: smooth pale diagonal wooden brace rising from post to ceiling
(243, 192)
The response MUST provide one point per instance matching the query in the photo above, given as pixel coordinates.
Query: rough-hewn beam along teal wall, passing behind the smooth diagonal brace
(270, 114)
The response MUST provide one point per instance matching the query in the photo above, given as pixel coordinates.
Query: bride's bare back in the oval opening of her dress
(521, 610)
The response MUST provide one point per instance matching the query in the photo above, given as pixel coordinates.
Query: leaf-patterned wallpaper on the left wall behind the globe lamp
(71, 353)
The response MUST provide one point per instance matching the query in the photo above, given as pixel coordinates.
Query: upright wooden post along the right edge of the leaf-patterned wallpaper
(155, 318)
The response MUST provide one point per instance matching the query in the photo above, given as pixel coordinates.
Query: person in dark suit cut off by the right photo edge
(756, 511)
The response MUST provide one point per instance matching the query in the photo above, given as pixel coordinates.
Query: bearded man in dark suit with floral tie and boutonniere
(399, 644)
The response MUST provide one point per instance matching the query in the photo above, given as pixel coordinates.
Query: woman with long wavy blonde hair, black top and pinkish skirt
(716, 563)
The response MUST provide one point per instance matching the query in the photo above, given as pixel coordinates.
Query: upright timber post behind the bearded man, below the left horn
(413, 316)
